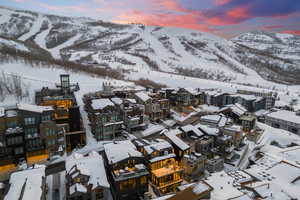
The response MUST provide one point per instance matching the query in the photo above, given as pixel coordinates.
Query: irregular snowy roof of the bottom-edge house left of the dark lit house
(91, 165)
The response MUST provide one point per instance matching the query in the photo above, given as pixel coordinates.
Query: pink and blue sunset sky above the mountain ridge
(226, 18)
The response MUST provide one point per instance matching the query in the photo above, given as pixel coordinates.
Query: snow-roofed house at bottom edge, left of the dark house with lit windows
(86, 177)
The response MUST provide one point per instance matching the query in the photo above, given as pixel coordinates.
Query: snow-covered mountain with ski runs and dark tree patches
(251, 56)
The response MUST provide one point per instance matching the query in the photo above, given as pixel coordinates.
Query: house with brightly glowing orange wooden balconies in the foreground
(165, 172)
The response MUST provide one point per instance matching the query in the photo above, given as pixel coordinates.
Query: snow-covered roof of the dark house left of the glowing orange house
(120, 150)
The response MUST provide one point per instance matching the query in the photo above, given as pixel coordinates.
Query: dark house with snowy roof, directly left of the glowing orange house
(126, 170)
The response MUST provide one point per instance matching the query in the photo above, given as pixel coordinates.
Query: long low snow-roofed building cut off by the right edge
(284, 119)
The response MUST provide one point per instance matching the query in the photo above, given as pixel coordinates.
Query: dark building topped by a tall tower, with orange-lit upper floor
(66, 110)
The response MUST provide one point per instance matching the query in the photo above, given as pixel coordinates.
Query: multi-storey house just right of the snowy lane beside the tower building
(106, 121)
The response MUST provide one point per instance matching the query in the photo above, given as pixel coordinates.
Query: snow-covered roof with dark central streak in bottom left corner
(26, 184)
